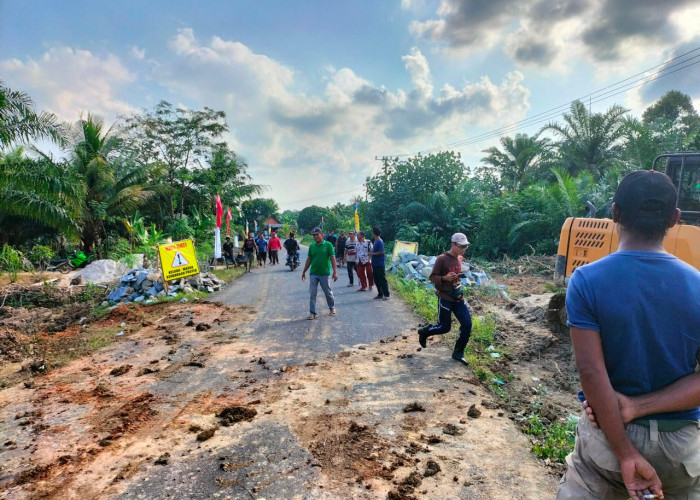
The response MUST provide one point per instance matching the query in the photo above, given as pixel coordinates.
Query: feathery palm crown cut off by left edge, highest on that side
(20, 123)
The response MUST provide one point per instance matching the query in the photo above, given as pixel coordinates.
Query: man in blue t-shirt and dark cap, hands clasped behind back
(634, 320)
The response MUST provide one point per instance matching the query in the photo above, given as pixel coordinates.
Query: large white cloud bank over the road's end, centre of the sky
(300, 142)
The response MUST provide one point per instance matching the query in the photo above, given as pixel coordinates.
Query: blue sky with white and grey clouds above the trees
(317, 92)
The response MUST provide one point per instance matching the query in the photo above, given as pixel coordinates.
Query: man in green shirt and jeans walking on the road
(321, 258)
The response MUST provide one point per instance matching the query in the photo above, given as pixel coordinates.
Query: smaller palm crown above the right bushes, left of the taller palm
(521, 160)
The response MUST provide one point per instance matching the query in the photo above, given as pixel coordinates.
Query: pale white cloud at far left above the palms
(69, 82)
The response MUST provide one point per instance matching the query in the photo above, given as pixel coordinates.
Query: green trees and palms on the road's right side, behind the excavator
(515, 200)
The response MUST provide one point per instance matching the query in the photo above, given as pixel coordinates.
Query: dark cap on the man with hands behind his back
(646, 193)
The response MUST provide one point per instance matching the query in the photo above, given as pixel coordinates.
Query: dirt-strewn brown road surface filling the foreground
(208, 400)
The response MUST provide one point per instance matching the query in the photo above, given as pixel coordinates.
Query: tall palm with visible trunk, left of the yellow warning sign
(113, 183)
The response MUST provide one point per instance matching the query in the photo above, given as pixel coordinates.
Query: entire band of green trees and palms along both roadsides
(123, 188)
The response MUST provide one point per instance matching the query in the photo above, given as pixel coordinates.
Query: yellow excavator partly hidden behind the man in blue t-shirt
(586, 239)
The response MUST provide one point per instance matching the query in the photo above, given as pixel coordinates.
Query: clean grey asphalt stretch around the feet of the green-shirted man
(282, 302)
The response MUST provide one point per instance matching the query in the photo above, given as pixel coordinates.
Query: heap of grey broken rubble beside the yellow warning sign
(145, 285)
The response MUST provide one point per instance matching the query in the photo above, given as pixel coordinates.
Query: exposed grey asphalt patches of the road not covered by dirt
(275, 456)
